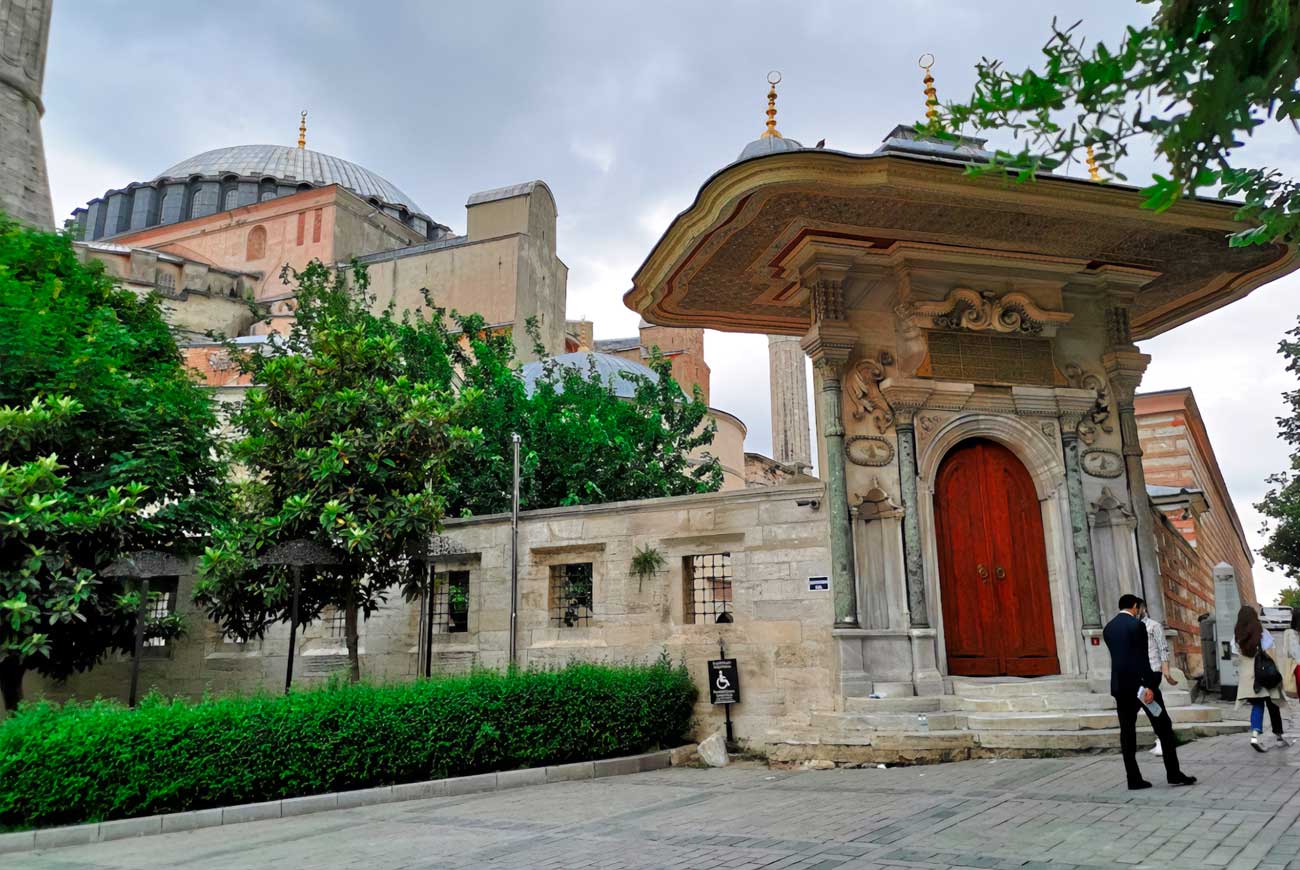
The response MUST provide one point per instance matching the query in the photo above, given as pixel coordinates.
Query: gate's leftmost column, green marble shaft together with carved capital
(830, 344)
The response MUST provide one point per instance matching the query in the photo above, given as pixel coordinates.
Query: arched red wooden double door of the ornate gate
(993, 565)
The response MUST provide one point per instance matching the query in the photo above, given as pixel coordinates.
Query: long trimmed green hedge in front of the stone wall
(97, 761)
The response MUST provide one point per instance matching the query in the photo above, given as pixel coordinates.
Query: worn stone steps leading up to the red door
(985, 718)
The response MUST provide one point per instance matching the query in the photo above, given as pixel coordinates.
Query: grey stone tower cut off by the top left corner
(24, 184)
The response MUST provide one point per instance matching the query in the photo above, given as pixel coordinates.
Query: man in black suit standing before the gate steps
(1130, 674)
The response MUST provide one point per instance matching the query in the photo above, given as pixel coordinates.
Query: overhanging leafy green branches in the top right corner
(1201, 79)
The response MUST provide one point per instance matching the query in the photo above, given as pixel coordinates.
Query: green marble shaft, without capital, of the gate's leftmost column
(843, 578)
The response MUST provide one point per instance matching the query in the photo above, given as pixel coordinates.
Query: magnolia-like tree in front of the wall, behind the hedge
(346, 442)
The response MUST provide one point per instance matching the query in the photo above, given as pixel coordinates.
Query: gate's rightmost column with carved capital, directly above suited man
(1125, 366)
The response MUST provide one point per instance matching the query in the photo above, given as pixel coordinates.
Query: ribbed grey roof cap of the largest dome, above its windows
(287, 163)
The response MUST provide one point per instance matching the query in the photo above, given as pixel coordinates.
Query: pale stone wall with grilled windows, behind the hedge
(781, 631)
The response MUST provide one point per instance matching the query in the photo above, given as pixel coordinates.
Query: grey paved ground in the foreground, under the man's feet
(1034, 813)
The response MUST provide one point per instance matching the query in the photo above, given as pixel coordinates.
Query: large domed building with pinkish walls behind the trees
(215, 231)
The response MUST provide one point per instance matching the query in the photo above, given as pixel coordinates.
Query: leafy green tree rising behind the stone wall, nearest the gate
(582, 444)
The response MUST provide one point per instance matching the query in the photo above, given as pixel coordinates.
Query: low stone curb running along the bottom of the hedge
(54, 838)
